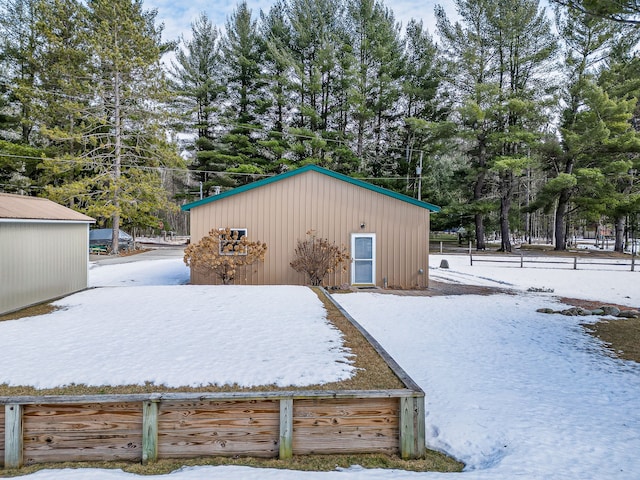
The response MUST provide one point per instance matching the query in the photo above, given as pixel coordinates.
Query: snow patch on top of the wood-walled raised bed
(176, 336)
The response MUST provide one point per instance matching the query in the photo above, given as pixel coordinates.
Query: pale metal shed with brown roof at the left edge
(44, 251)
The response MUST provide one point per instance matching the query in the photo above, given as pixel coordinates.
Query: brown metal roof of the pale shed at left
(20, 207)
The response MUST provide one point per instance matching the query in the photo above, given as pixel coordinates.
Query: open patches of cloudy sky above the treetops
(177, 15)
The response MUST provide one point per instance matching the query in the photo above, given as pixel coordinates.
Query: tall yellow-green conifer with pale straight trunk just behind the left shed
(123, 132)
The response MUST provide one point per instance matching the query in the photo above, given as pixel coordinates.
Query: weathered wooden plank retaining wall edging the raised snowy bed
(148, 427)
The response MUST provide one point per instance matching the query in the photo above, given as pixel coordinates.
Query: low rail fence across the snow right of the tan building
(575, 263)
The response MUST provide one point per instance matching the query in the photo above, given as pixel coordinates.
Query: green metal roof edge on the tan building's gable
(323, 171)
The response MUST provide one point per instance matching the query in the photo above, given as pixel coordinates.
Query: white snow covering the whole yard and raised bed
(511, 392)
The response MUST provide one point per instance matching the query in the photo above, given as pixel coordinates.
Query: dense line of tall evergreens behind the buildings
(518, 121)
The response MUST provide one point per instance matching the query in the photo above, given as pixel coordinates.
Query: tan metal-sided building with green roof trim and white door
(385, 233)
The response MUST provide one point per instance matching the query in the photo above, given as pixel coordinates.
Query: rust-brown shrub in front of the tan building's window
(222, 252)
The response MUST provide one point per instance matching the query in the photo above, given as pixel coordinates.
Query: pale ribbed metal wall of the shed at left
(41, 261)
